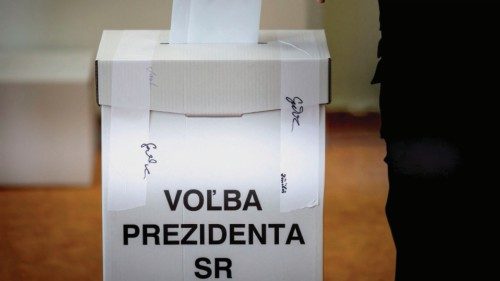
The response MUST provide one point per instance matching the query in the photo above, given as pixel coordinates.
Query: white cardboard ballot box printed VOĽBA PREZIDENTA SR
(205, 155)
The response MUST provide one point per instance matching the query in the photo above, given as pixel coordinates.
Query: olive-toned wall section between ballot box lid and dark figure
(353, 32)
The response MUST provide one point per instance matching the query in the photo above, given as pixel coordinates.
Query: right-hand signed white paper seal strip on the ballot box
(299, 124)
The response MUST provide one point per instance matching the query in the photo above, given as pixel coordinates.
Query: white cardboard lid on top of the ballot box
(215, 79)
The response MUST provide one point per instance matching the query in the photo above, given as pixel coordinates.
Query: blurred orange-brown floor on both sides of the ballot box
(55, 233)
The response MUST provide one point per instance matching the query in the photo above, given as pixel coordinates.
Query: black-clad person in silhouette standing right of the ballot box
(435, 72)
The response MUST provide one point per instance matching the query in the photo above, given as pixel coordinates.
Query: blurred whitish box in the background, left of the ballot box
(47, 118)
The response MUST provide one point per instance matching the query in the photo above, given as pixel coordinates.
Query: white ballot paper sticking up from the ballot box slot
(215, 21)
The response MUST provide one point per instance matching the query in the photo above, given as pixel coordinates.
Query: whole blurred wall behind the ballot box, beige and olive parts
(351, 25)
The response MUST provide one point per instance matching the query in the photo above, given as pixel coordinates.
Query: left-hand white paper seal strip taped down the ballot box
(130, 112)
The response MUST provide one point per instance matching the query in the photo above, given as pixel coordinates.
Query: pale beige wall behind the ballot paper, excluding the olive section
(79, 23)
